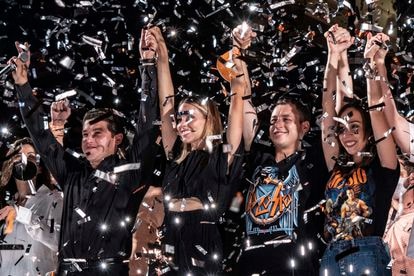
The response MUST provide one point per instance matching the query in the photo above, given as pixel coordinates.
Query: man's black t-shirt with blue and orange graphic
(275, 200)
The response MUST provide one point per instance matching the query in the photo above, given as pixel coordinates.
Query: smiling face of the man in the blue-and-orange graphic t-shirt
(286, 129)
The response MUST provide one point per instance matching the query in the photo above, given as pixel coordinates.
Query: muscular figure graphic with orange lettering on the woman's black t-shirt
(348, 205)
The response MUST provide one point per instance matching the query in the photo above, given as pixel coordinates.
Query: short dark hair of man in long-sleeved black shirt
(95, 115)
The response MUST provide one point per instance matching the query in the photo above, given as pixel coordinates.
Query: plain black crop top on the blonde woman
(204, 175)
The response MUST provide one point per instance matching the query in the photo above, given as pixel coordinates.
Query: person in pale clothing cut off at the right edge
(400, 220)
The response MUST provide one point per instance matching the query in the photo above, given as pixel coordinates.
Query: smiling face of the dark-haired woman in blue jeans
(353, 137)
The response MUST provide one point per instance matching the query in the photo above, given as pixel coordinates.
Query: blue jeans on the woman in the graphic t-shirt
(360, 256)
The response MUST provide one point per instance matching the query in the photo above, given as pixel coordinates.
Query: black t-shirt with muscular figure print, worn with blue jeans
(357, 201)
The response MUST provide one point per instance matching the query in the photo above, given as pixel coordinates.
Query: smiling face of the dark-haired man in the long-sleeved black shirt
(98, 142)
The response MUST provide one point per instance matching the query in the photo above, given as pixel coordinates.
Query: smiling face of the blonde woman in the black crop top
(191, 123)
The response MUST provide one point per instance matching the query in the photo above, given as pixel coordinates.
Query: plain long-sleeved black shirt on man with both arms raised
(97, 215)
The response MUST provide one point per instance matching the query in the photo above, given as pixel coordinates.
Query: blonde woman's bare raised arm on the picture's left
(165, 93)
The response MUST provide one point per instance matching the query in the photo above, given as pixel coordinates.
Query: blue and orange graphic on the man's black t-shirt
(272, 203)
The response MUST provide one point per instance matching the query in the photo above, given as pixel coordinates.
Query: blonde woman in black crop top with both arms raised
(201, 170)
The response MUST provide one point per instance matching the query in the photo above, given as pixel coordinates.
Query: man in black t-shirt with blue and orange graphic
(281, 188)
